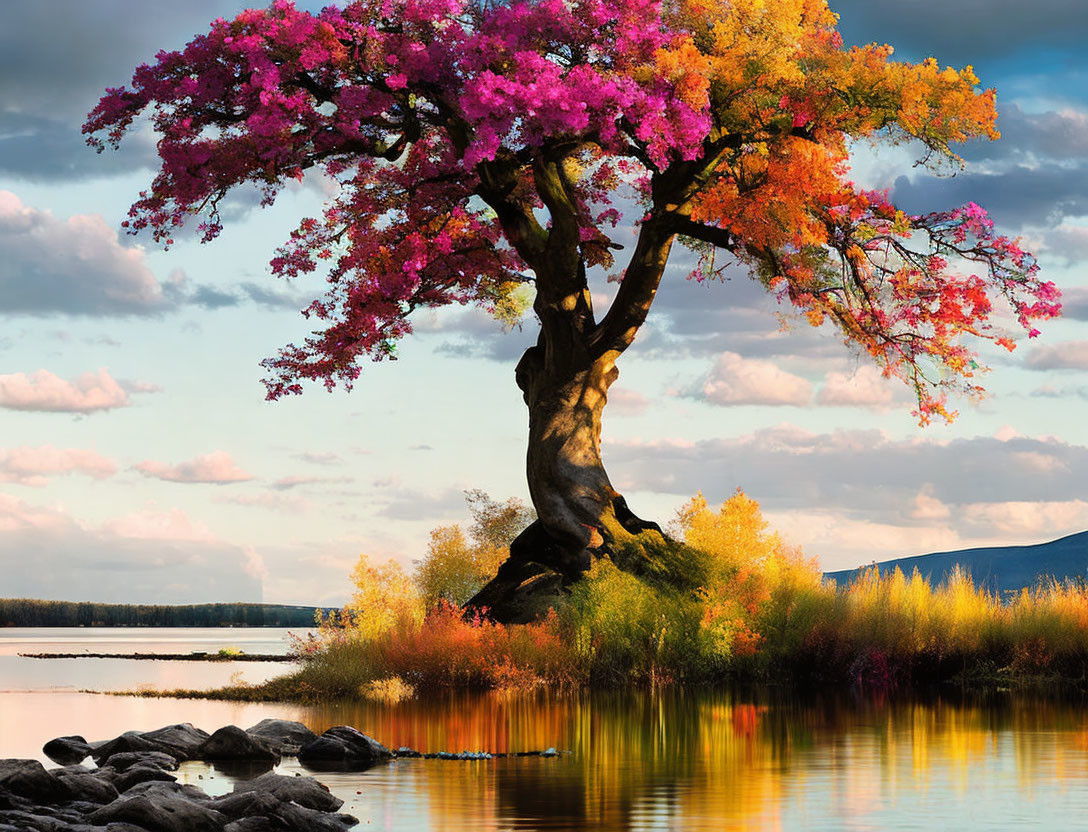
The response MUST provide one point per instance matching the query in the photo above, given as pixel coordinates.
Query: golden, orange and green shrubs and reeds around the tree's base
(743, 606)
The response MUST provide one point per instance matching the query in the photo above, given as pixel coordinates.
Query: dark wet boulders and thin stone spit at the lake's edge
(132, 788)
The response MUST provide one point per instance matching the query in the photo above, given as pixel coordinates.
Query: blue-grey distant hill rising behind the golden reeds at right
(999, 569)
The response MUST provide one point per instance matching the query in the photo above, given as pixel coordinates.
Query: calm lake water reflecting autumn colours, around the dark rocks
(665, 761)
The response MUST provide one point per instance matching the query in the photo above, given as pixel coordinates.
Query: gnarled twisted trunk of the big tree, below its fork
(579, 513)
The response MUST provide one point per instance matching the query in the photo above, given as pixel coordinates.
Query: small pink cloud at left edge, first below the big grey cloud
(44, 392)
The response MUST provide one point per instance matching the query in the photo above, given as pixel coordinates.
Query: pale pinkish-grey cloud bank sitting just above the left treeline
(145, 557)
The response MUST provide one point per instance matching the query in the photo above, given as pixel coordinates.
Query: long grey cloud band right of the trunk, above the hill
(790, 468)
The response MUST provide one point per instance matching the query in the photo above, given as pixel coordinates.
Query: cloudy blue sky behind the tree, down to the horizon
(141, 463)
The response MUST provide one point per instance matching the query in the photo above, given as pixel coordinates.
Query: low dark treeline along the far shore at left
(34, 613)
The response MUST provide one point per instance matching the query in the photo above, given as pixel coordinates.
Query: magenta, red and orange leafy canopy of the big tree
(412, 104)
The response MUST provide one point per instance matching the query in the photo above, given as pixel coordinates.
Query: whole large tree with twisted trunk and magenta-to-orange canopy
(479, 147)
